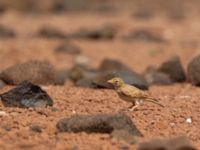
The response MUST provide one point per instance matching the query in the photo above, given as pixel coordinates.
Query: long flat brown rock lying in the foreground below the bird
(100, 123)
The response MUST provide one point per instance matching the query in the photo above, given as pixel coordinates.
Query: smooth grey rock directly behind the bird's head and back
(131, 78)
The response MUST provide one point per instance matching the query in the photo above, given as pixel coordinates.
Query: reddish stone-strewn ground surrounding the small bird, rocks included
(71, 54)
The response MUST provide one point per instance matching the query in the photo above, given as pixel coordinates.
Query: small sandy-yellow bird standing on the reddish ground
(132, 94)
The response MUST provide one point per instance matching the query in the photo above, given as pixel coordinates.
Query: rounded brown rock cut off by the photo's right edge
(193, 70)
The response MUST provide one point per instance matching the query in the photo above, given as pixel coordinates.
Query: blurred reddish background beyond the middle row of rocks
(119, 29)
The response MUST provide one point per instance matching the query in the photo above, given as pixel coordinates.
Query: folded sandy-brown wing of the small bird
(133, 92)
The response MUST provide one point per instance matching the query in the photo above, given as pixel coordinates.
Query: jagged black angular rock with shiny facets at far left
(26, 95)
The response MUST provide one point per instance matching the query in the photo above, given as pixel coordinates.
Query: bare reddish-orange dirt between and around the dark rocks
(181, 100)
